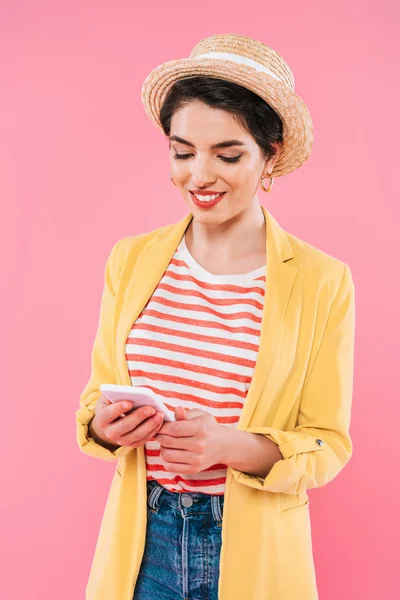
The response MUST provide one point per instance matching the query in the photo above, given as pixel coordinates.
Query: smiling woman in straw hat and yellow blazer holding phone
(243, 329)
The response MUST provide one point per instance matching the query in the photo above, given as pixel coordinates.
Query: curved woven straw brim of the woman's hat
(298, 133)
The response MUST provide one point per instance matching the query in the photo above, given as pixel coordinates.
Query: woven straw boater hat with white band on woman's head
(253, 65)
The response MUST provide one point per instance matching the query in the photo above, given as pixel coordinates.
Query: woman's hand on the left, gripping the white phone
(135, 429)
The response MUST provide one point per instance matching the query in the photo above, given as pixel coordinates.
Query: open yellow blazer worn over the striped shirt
(300, 397)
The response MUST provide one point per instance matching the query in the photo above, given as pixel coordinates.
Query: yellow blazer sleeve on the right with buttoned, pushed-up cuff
(320, 445)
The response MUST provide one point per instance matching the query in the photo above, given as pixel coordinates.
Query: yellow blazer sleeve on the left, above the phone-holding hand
(102, 368)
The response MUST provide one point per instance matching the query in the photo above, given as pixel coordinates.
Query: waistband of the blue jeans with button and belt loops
(200, 502)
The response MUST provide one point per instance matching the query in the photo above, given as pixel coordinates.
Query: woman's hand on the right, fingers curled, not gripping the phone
(193, 442)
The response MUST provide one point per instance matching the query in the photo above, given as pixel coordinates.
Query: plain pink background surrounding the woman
(82, 166)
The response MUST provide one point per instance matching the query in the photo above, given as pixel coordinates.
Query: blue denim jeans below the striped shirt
(183, 545)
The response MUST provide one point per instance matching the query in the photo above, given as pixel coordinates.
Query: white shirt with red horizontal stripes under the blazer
(195, 345)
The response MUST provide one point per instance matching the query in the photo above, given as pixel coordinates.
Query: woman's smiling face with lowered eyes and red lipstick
(232, 168)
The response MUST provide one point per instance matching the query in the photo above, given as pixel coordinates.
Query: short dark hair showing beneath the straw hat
(250, 110)
